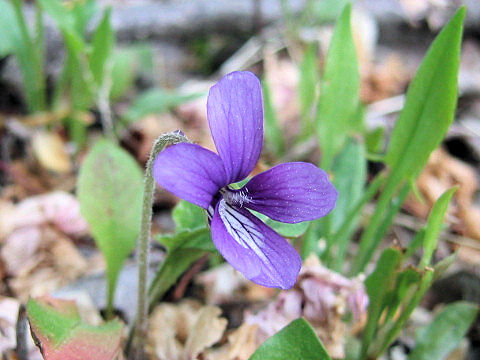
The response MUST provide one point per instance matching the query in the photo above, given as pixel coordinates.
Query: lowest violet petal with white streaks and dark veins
(253, 248)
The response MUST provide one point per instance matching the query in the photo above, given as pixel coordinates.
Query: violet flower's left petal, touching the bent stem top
(190, 172)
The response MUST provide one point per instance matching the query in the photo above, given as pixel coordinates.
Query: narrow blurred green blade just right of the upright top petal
(273, 133)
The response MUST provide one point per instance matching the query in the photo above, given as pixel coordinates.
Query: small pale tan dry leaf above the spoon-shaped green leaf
(50, 151)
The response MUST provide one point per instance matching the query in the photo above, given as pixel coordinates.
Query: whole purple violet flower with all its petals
(290, 192)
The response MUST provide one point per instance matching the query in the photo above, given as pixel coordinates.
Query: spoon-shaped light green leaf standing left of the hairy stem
(110, 193)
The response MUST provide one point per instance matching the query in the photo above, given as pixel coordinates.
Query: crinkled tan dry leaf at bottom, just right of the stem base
(192, 329)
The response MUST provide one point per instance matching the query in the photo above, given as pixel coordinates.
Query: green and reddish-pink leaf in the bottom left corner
(61, 335)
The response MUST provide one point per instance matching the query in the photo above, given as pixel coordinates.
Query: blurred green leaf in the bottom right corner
(444, 334)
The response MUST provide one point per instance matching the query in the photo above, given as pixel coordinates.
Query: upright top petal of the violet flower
(235, 116)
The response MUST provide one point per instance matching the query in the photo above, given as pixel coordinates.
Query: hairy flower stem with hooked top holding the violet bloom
(143, 242)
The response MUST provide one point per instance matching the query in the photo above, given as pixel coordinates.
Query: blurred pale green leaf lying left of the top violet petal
(156, 101)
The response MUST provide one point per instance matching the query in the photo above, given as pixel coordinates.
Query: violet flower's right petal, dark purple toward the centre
(291, 193)
